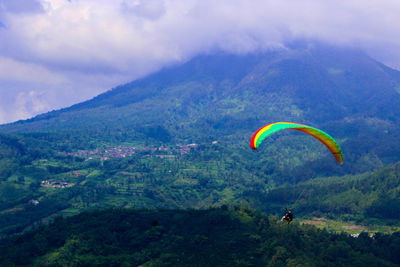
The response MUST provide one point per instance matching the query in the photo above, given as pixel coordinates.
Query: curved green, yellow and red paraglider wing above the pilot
(323, 137)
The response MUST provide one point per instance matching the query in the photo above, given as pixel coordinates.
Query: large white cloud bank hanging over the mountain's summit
(111, 36)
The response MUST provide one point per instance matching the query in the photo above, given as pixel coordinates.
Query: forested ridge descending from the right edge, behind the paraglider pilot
(365, 198)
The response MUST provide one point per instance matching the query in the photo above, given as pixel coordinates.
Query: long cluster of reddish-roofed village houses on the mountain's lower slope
(125, 151)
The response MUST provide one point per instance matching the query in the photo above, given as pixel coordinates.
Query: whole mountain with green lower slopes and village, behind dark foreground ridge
(179, 138)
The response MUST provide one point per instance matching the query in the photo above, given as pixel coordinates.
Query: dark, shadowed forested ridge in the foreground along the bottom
(213, 237)
